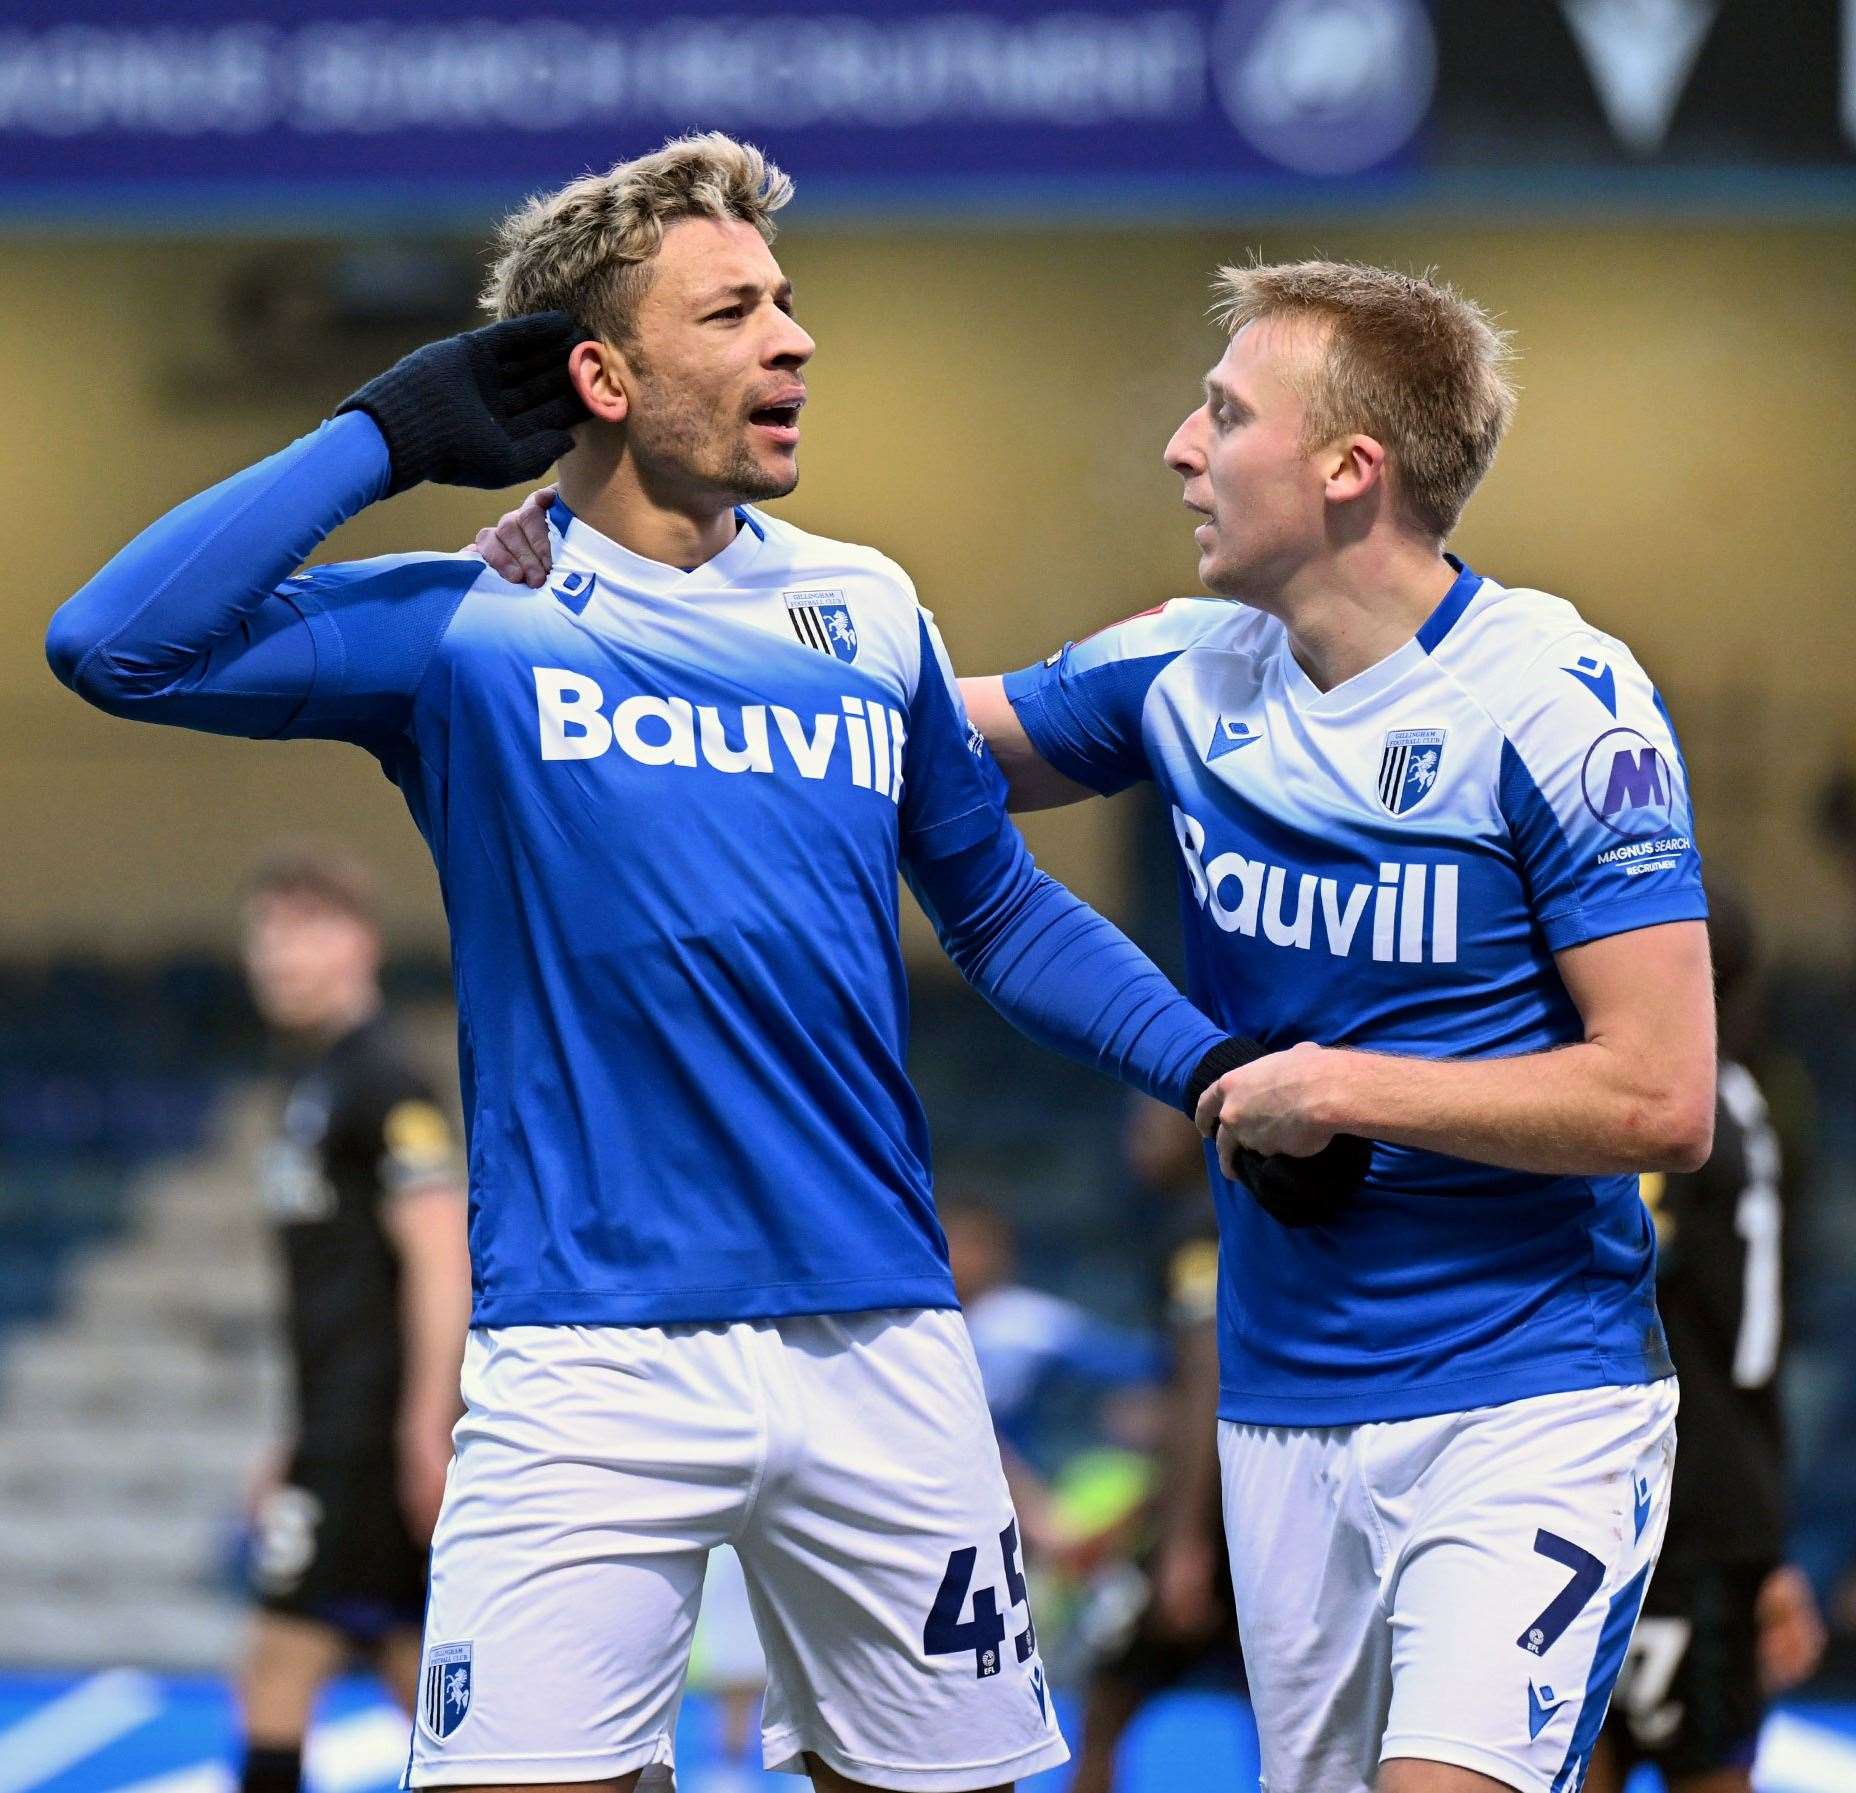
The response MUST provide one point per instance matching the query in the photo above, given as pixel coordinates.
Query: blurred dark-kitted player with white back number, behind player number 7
(1727, 1621)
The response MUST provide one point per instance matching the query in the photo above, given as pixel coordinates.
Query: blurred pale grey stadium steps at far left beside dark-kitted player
(135, 1421)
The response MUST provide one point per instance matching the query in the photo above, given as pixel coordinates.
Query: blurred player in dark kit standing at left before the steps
(363, 1191)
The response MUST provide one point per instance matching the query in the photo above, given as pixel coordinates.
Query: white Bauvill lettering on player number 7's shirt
(1408, 916)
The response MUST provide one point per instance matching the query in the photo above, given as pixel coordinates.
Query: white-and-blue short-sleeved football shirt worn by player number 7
(1393, 866)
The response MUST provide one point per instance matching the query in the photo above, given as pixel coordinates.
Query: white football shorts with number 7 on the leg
(1458, 1588)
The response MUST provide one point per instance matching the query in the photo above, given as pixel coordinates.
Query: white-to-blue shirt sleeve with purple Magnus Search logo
(1592, 780)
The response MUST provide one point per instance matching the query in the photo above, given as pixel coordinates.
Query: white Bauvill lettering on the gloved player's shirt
(675, 732)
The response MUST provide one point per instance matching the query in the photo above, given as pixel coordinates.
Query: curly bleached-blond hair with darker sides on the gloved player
(587, 248)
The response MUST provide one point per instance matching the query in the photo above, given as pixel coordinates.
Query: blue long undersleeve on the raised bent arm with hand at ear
(187, 625)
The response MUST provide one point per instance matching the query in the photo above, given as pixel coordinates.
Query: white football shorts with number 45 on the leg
(847, 1458)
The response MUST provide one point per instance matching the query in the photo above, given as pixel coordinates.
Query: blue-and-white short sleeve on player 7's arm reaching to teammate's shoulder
(1083, 706)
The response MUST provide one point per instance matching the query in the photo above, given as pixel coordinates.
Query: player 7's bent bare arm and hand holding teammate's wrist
(1634, 1096)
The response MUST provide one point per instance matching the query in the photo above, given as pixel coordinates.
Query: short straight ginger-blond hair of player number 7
(1406, 359)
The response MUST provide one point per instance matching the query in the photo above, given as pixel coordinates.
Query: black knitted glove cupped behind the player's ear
(491, 407)
